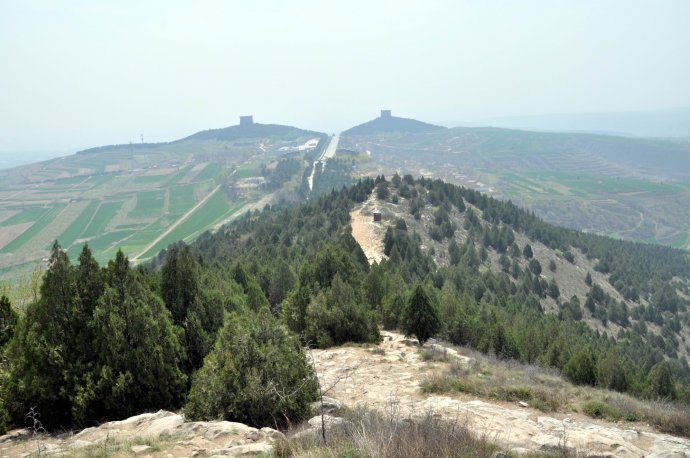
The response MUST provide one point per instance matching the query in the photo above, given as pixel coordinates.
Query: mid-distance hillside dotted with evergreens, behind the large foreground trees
(497, 310)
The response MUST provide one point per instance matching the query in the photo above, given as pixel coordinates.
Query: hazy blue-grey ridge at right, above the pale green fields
(492, 147)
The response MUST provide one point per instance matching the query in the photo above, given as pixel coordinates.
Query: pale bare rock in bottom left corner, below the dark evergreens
(159, 434)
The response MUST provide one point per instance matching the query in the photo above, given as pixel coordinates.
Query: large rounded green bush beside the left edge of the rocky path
(257, 374)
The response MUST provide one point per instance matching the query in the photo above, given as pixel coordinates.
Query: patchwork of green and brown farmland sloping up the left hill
(130, 196)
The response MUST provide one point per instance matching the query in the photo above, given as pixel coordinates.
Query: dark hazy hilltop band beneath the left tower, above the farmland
(236, 132)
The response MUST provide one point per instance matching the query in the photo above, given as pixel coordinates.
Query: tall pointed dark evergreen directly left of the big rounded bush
(137, 350)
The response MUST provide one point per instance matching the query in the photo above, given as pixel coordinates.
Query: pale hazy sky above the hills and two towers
(84, 73)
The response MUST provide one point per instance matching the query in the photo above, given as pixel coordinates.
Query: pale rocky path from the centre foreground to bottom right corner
(389, 379)
